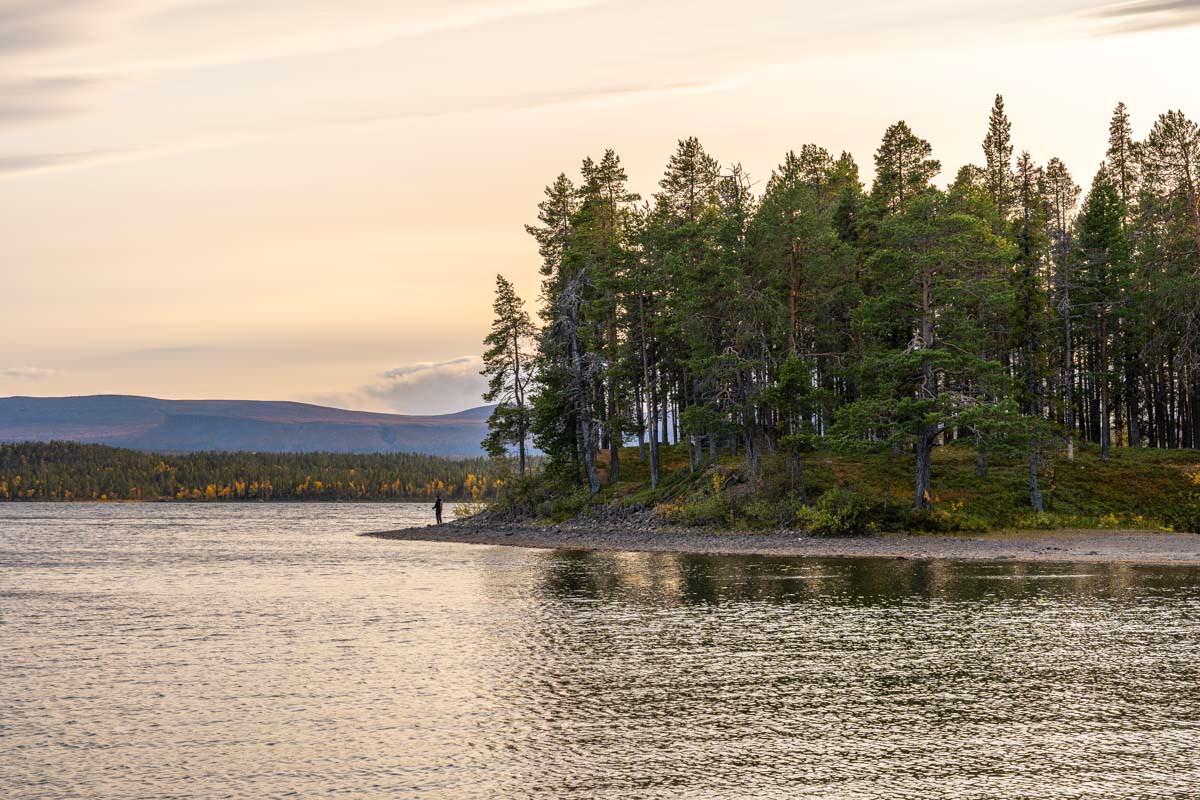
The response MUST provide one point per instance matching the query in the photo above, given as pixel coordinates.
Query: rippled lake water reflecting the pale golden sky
(266, 651)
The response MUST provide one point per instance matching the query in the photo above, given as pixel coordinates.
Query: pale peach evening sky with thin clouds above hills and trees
(309, 201)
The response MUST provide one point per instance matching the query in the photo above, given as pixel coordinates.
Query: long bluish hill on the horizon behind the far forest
(263, 426)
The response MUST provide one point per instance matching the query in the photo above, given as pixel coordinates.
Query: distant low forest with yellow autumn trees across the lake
(62, 471)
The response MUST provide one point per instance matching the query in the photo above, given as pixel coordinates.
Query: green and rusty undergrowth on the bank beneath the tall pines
(845, 496)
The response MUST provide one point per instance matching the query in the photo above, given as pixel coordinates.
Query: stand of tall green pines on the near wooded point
(1010, 310)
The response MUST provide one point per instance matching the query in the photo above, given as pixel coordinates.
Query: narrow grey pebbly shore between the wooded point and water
(1063, 546)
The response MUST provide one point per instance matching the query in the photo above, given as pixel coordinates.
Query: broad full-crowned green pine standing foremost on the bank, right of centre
(922, 378)
